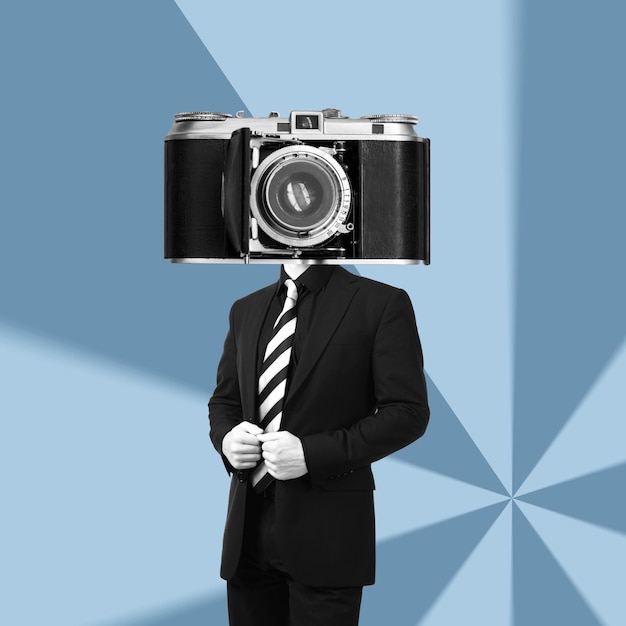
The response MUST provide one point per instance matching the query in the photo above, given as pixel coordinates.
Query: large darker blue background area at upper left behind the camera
(86, 111)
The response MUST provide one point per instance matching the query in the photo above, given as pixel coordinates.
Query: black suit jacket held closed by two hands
(357, 395)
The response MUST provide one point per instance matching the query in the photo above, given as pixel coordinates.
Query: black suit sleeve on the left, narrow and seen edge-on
(225, 410)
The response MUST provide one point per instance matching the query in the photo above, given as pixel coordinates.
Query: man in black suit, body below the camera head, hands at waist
(299, 551)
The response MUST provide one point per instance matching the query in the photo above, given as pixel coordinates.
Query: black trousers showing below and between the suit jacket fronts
(262, 593)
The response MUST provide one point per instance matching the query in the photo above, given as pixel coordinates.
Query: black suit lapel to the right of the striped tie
(330, 311)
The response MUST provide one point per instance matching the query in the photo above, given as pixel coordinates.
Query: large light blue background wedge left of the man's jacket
(109, 482)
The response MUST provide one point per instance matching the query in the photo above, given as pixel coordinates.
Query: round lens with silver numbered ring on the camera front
(300, 196)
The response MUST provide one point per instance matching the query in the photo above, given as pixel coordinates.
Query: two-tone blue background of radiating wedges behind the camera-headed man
(113, 500)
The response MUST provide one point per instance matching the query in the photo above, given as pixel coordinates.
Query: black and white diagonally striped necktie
(273, 376)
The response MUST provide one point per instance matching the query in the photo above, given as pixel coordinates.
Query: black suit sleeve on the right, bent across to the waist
(401, 412)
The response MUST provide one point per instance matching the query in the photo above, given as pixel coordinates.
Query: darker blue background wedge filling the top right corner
(571, 302)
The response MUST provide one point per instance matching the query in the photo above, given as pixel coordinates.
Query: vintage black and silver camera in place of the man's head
(313, 187)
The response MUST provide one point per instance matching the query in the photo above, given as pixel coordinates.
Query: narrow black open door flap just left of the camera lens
(236, 190)
